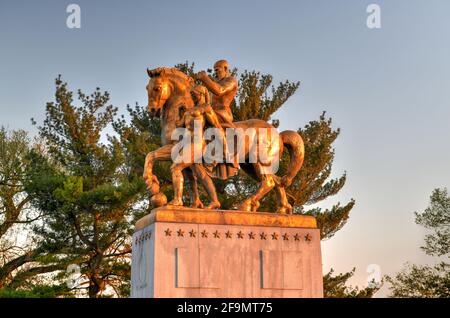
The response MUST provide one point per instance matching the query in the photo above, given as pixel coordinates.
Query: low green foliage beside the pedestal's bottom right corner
(335, 286)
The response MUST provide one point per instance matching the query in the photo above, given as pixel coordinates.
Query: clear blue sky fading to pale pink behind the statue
(388, 89)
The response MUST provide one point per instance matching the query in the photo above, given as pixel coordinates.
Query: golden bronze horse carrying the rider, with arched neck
(169, 96)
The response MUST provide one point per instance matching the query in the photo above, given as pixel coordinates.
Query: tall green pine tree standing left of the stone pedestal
(85, 192)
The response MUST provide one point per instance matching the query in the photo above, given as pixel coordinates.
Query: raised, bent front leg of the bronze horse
(160, 154)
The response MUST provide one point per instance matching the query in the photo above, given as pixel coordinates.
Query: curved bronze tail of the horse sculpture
(294, 143)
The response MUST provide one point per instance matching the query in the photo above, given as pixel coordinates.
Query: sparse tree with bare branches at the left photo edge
(16, 216)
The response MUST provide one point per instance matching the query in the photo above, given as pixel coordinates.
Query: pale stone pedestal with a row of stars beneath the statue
(182, 252)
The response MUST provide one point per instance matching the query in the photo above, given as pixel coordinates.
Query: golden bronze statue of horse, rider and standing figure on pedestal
(169, 96)
